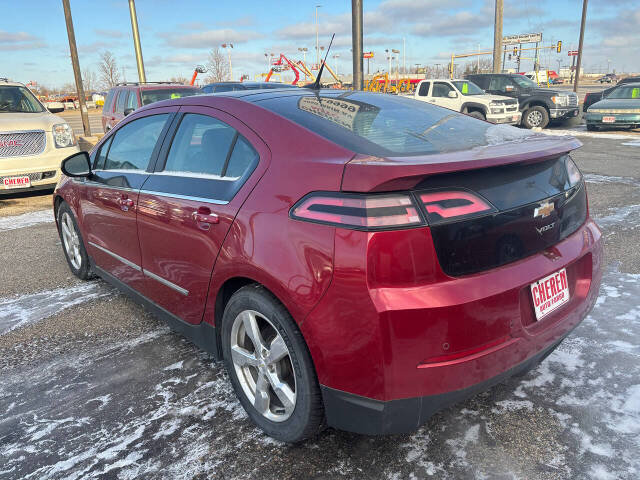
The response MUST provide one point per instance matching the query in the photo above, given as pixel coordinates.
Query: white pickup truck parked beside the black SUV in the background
(466, 97)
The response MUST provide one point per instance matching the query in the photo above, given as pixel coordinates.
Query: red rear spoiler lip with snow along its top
(365, 173)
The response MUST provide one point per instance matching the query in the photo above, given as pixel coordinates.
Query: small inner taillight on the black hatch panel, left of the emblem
(447, 205)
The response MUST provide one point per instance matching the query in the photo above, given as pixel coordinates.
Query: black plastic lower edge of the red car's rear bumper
(367, 416)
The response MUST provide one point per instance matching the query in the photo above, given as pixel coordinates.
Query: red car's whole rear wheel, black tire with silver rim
(251, 373)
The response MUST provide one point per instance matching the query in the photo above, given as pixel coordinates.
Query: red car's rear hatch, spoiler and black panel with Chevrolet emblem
(485, 207)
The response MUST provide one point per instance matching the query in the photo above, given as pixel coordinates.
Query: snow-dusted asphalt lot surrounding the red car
(94, 387)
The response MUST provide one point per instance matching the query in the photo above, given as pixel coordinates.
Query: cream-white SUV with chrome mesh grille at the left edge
(33, 142)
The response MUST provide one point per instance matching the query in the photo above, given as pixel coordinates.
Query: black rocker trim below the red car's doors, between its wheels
(202, 335)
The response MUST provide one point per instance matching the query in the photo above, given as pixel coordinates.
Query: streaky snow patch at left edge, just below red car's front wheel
(20, 310)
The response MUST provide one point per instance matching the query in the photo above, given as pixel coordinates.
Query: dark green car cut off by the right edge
(621, 108)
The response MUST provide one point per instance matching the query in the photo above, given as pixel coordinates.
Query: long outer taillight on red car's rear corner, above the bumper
(364, 212)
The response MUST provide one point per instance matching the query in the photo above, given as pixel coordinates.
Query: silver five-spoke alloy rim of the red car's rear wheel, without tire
(263, 365)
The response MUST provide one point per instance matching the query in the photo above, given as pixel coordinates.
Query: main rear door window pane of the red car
(201, 145)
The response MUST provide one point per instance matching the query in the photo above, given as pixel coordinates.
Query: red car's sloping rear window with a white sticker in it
(386, 125)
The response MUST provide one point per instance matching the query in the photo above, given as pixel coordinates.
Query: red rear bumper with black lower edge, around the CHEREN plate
(390, 368)
